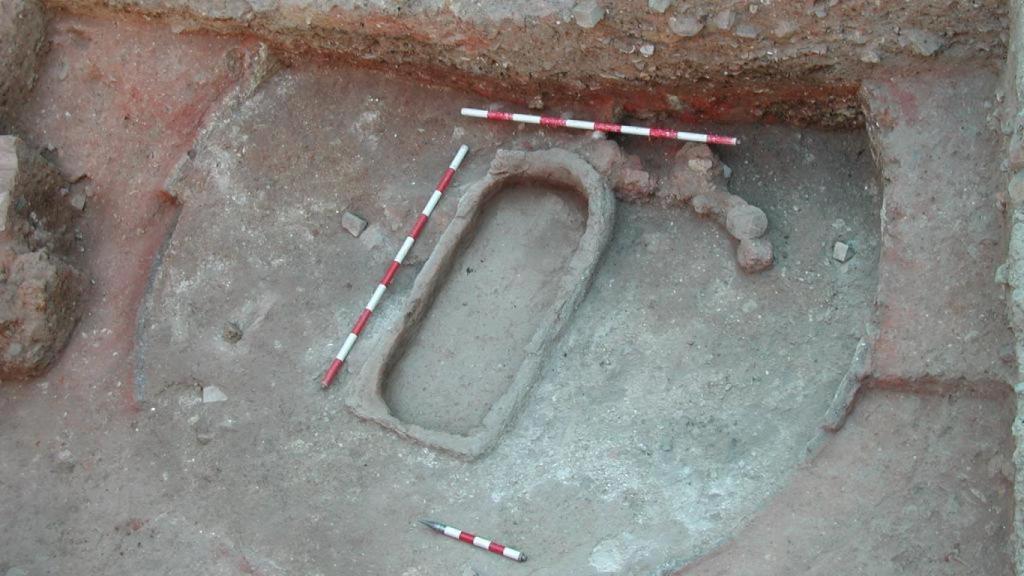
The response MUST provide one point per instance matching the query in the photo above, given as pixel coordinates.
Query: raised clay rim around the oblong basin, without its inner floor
(556, 168)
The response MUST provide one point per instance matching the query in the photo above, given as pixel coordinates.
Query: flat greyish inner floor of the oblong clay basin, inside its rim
(471, 345)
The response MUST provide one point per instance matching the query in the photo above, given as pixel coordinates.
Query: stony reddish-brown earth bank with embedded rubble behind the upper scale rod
(717, 60)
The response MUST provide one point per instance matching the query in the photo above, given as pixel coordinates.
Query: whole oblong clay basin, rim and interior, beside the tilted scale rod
(500, 286)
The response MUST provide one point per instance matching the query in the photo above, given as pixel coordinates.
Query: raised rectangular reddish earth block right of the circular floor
(942, 316)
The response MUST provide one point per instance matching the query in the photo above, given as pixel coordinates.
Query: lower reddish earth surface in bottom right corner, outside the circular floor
(882, 500)
